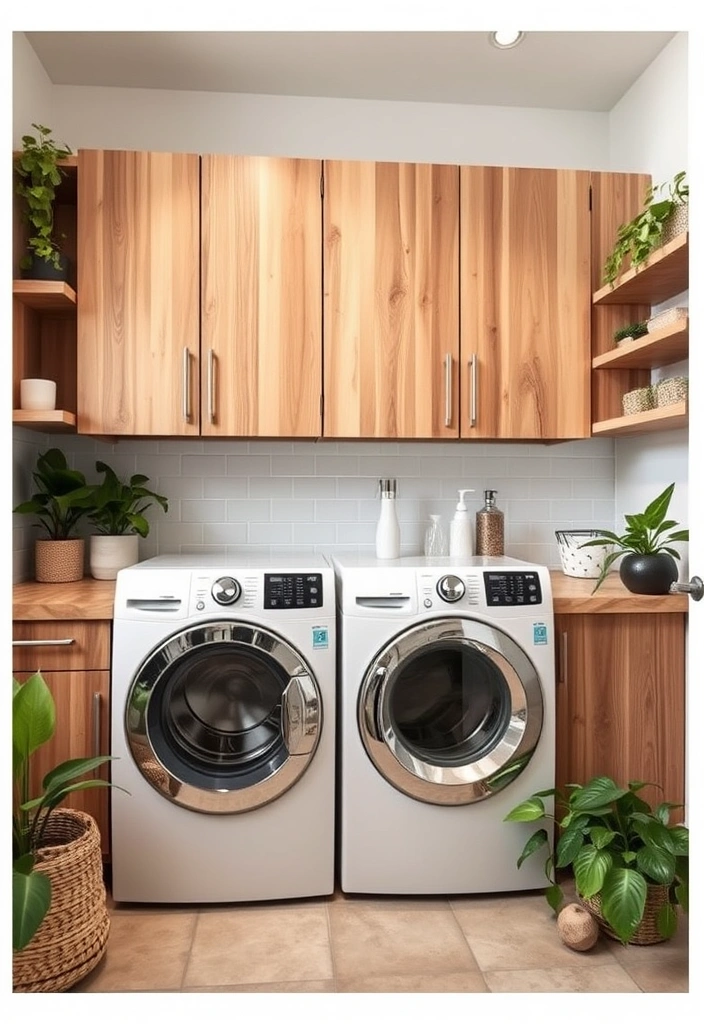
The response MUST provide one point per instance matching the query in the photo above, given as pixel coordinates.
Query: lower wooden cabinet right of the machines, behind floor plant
(621, 701)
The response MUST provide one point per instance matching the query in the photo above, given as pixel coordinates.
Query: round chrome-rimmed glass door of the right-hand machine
(451, 711)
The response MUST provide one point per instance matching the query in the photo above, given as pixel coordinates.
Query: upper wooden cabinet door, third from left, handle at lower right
(391, 301)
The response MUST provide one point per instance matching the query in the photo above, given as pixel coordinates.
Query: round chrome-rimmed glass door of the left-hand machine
(224, 717)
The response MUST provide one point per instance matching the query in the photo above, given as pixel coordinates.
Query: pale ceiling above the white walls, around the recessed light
(587, 71)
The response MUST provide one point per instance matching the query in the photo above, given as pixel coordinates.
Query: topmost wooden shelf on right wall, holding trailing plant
(666, 274)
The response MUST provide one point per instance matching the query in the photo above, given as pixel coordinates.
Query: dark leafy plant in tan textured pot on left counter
(62, 501)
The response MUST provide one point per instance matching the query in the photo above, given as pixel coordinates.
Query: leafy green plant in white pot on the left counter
(118, 515)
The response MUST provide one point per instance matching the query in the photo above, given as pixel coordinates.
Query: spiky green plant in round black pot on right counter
(648, 567)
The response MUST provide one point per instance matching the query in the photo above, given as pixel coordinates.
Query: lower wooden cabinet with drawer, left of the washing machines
(78, 675)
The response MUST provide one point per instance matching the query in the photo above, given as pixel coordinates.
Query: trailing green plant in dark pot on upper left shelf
(39, 173)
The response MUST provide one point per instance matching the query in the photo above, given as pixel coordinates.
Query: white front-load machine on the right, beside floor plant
(447, 721)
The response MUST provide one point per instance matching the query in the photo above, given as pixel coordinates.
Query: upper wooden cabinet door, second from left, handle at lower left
(261, 297)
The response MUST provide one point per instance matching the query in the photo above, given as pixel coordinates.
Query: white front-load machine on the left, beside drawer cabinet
(224, 731)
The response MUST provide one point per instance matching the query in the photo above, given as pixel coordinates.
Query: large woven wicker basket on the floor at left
(73, 937)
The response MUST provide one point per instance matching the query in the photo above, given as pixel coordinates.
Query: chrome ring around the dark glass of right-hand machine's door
(460, 785)
